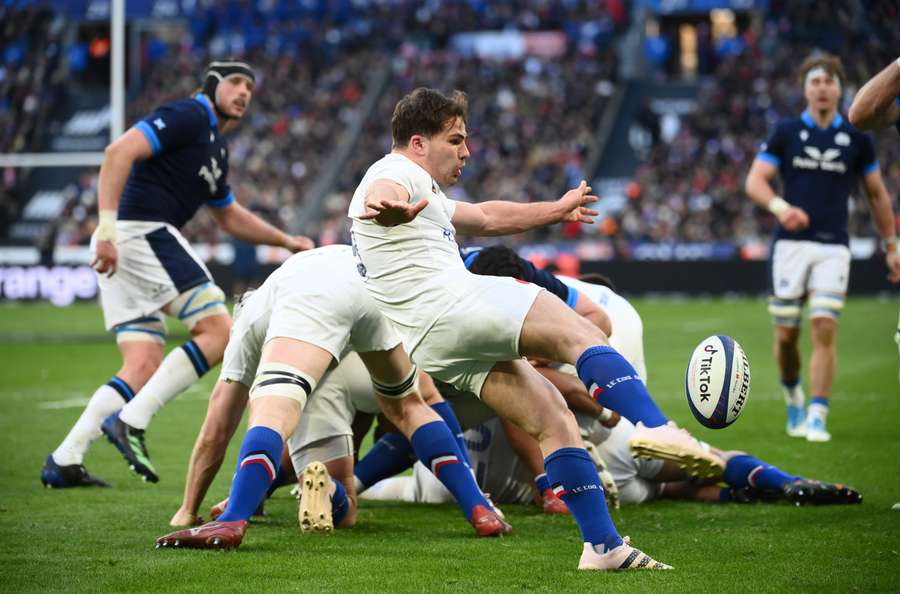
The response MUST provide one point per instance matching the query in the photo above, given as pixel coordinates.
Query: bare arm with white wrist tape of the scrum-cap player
(118, 158)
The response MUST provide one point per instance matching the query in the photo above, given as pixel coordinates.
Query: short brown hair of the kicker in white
(426, 112)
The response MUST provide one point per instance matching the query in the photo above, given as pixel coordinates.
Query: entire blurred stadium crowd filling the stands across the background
(532, 118)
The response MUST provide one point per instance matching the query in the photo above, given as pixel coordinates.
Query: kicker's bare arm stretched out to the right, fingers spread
(502, 217)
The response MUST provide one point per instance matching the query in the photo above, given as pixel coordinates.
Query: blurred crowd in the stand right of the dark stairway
(690, 188)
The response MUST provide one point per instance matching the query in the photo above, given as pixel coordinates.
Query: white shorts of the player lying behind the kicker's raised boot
(633, 476)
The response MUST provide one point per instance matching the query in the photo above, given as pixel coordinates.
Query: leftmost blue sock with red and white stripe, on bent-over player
(258, 464)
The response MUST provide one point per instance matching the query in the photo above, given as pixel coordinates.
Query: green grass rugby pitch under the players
(101, 540)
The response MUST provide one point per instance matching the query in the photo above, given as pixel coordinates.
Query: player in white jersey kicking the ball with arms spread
(472, 331)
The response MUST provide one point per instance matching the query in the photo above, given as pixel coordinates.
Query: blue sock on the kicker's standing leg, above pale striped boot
(574, 479)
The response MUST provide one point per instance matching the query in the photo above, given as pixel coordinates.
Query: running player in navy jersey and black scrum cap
(152, 181)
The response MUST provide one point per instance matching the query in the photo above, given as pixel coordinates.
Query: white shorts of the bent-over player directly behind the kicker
(316, 297)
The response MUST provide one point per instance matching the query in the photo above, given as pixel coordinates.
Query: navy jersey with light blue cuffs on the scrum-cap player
(188, 169)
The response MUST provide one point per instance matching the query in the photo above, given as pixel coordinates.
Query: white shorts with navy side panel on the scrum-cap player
(155, 265)
